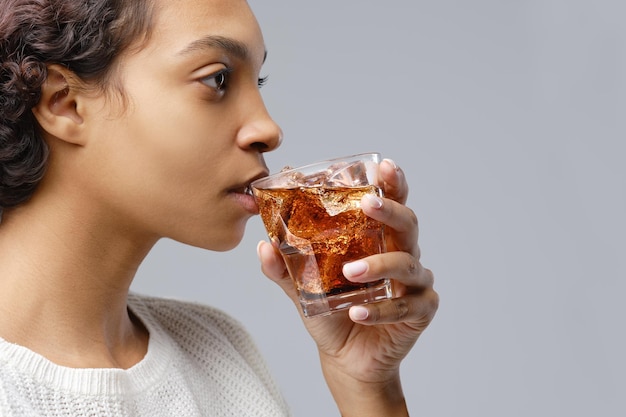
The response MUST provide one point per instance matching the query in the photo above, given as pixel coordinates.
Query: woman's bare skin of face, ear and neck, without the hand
(171, 160)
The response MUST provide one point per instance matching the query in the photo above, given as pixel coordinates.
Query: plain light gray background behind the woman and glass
(508, 118)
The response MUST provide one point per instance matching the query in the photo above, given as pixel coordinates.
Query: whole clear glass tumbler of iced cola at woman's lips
(315, 219)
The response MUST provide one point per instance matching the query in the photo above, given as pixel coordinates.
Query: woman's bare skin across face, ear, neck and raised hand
(172, 160)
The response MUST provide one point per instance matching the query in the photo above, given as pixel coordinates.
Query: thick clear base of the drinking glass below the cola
(327, 304)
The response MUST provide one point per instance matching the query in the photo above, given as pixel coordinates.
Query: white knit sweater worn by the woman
(200, 362)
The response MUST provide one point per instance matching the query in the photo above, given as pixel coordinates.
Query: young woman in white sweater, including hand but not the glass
(123, 122)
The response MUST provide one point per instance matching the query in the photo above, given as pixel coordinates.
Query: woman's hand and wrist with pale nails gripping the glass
(361, 349)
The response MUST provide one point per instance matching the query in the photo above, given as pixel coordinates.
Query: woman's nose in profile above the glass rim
(260, 132)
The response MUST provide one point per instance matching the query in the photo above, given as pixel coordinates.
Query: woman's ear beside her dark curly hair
(58, 110)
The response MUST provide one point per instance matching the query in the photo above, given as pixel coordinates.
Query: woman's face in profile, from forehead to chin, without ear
(175, 158)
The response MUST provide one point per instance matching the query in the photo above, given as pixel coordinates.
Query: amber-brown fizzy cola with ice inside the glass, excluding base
(318, 230)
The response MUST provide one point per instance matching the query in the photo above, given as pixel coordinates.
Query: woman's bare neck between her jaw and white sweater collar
(64, 282)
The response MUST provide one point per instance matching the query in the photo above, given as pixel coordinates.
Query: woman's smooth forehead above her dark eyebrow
(180, 24)
